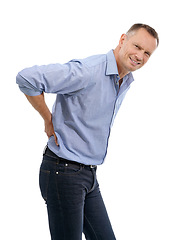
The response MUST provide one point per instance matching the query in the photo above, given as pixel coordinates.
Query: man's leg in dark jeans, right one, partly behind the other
(97, 225)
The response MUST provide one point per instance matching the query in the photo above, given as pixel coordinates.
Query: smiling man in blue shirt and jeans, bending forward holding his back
(89, 94)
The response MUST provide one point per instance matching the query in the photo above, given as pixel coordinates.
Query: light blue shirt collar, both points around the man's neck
(111, 67)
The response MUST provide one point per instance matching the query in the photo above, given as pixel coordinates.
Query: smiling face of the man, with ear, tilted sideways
(135, 50)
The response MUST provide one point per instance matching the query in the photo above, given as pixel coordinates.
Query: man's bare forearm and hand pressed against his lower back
(38, 102)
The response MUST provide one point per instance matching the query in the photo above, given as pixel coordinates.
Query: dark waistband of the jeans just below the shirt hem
(55, 158)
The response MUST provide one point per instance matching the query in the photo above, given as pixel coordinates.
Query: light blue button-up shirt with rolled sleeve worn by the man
(87, 101)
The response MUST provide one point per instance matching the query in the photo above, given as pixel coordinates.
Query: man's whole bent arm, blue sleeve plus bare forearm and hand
(57, 78)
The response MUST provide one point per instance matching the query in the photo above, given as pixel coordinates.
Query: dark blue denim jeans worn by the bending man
(73, 199)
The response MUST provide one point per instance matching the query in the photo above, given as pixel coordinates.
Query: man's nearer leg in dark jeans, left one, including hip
(61, 187)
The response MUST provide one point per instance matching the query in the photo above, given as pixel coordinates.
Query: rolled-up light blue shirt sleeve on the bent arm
(54, 78)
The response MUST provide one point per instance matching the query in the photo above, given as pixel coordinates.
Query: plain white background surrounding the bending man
(138, 179)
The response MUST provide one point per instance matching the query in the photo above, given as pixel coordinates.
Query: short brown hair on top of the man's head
(149, 29)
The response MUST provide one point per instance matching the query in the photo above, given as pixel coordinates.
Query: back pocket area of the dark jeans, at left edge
(44, 182)
